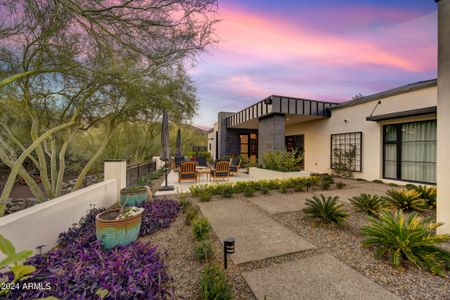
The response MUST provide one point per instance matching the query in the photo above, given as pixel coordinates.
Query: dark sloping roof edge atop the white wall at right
(396, 91)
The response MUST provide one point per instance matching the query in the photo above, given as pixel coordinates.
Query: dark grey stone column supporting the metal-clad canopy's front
(271, 132)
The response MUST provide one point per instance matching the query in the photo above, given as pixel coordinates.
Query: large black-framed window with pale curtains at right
(410, 151)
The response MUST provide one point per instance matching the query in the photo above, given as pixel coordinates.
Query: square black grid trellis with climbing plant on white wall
(346, 151)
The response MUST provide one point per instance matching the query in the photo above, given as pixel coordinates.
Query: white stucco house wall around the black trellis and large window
(353, 118)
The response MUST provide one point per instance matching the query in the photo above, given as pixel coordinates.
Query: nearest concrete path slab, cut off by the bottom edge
(316, 277)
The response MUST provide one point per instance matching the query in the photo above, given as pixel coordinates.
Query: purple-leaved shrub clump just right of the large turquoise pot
(158, 214)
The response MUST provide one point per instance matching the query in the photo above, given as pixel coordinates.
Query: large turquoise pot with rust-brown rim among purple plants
(118, 226)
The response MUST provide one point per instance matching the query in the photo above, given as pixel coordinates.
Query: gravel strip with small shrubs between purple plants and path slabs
(177, 245)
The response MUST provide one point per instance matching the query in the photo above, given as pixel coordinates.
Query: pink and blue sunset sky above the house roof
(325, 50)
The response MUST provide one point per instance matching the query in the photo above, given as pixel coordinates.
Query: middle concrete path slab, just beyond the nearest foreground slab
(257, 235)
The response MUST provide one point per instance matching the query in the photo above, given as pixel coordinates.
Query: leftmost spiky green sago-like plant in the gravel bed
(326, 209)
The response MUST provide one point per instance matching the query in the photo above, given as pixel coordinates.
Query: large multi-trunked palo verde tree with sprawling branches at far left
(68, 57)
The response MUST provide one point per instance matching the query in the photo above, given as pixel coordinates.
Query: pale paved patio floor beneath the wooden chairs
(183, 187)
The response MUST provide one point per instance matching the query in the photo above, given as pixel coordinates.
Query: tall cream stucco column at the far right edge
(443, 117)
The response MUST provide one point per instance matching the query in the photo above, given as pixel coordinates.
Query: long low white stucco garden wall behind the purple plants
(41, 224)
